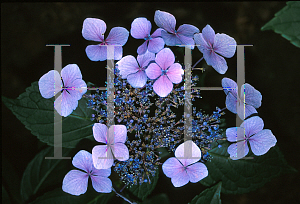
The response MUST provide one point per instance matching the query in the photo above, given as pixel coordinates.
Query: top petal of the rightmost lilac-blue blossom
(253, 125)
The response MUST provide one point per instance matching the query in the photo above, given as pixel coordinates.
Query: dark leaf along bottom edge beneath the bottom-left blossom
(58, 196)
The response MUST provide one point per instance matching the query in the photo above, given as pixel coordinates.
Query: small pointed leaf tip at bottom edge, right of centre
(209, 196)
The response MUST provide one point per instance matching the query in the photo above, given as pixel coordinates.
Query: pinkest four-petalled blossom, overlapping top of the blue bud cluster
(166, 71)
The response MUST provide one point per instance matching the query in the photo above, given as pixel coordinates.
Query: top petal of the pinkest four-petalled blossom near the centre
(165, 58)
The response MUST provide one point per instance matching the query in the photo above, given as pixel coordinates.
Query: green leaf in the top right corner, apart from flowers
(287, 23)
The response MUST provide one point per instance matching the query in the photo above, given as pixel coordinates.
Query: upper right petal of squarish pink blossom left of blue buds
(117, 133)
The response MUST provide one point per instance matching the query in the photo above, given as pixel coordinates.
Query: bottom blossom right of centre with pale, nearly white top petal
(184, 167)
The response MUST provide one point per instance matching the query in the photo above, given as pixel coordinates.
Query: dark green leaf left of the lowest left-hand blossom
(43, 174)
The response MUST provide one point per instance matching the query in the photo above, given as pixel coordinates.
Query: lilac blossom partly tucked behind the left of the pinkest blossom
(134, 70)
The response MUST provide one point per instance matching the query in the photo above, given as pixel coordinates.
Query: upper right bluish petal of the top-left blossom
(117, 36)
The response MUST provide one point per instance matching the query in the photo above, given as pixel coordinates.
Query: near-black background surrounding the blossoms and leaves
(272, 67)
